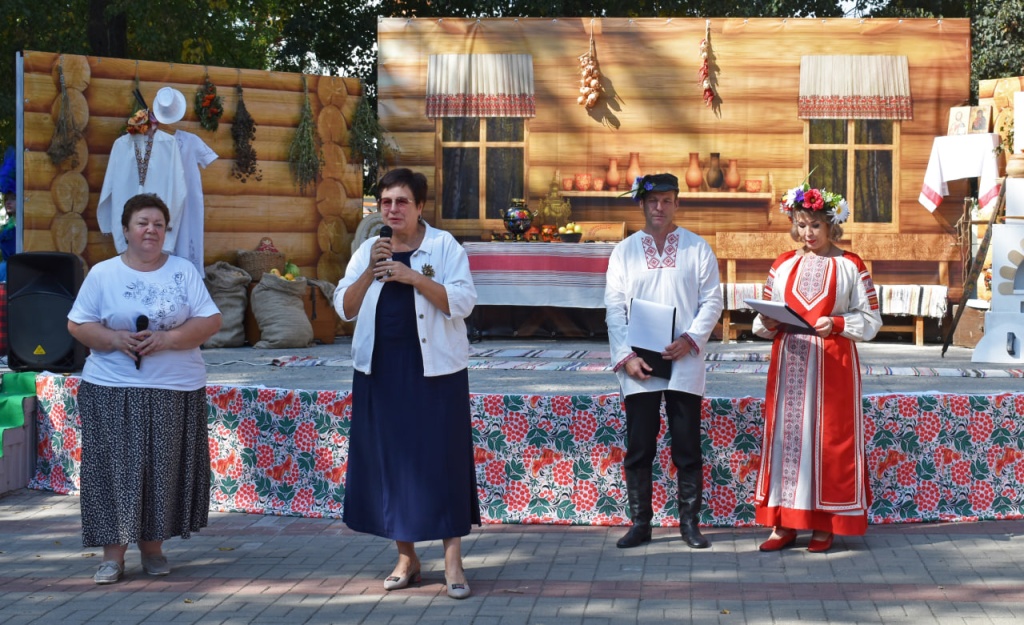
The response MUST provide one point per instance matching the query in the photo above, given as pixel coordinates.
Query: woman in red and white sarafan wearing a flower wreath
(814, 474)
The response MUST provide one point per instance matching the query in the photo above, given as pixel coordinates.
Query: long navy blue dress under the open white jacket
(411, 474)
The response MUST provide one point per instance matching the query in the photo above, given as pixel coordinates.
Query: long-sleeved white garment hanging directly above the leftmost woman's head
(165, 177)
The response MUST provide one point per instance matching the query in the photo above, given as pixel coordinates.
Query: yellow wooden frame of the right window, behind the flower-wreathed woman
(851, 148)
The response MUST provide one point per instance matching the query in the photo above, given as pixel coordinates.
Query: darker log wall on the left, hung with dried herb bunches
(315, 231)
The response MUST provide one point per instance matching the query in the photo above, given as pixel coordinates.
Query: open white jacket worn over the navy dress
(444, 343)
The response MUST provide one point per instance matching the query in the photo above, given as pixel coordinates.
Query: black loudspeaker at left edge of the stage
(41, 290)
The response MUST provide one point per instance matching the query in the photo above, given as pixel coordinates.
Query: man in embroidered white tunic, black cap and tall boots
(667, 265)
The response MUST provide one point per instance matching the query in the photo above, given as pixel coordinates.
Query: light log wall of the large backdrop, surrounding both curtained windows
(653, 105)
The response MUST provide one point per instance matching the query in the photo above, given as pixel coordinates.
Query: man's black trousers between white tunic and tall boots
(644, 423)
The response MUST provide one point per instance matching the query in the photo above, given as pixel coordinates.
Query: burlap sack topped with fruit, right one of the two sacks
(278, 306)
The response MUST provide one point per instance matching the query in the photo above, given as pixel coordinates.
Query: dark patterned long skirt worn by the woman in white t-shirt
(146, 464)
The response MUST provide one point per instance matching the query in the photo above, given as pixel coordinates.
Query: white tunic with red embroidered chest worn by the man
(685, 276)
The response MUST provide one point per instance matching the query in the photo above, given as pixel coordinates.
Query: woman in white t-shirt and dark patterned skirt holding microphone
(146, 464)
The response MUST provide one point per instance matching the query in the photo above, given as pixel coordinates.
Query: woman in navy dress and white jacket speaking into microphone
(411, 474)
